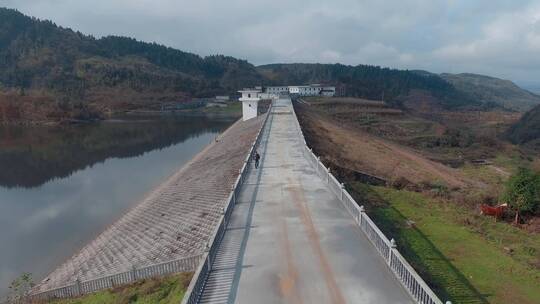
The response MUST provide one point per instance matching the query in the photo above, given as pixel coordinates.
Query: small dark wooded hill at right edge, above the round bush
(527, 129)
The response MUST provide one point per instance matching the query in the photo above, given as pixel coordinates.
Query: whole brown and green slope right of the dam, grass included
(434, 185)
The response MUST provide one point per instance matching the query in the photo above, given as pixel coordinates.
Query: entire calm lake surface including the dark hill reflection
(61, 186)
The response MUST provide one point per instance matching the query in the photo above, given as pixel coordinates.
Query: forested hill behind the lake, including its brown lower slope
(48, 72)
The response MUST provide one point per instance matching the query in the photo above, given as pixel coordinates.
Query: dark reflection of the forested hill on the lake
(31, 156)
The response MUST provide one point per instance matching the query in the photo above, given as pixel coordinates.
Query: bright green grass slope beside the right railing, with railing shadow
(459, 253)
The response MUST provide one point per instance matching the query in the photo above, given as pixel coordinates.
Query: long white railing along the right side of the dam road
(406, 275)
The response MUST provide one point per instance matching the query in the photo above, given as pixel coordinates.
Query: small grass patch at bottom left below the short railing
(165, 290)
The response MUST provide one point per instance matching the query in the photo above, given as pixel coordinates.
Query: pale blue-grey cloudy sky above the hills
(494, 37)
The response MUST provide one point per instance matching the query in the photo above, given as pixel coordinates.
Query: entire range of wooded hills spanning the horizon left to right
(48, 72)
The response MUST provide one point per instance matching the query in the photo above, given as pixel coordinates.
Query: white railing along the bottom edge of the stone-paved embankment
(78, 287)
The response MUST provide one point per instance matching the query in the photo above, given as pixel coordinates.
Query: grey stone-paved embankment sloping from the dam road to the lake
(174, 221)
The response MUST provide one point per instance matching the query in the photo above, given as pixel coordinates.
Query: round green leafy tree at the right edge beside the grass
(522, 192)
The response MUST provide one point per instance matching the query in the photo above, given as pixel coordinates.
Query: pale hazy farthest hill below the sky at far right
(493, 90)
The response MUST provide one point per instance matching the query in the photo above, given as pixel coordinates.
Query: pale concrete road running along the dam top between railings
(290, 240)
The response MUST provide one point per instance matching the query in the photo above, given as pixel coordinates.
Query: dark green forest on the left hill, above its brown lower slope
(30, 48)
